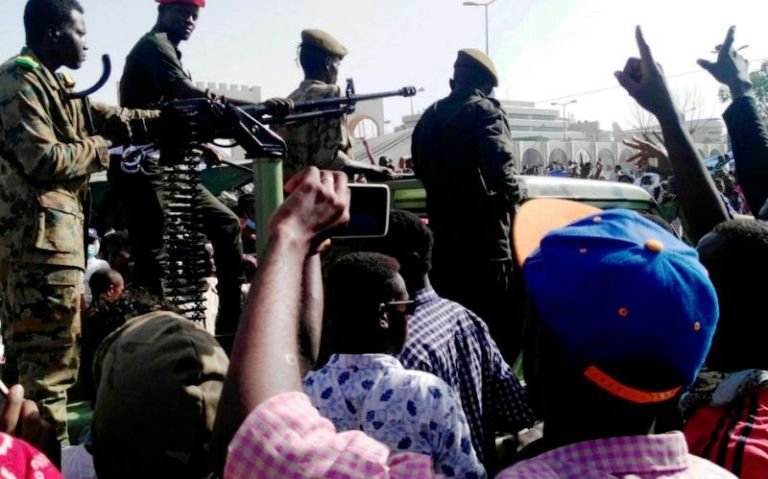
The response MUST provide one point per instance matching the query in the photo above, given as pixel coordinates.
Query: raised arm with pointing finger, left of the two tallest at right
(699, 199)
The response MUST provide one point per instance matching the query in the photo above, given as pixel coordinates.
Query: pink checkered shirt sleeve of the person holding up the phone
(285, 437)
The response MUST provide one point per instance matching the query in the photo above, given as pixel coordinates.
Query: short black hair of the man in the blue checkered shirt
(407, 235)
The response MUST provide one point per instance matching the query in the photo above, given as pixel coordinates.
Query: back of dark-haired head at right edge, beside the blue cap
(739, 340)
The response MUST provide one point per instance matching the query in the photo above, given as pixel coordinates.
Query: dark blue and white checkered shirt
(451, 342)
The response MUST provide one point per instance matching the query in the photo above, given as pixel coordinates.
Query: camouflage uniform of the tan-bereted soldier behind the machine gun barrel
(323, 142)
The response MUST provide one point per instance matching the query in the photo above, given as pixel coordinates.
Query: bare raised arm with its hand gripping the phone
(265, 357)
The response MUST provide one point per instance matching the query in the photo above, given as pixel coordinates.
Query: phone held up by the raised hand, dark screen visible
(369, 212)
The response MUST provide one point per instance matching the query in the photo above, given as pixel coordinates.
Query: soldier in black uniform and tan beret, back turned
(462, 152)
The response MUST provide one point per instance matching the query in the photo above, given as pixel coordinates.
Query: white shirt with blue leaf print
(404, 409)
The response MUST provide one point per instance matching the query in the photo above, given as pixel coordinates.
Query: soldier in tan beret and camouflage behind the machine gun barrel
(323, 142)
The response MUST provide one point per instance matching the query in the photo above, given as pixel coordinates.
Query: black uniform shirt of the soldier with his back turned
(462, 152)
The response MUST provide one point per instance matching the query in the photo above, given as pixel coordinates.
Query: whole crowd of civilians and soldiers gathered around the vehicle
(641, 351)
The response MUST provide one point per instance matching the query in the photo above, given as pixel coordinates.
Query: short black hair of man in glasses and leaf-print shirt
(357, 284)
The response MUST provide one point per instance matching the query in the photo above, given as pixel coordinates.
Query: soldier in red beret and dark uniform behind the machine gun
(153, 74)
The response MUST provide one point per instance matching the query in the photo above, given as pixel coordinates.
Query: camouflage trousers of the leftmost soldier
(41, 337)
